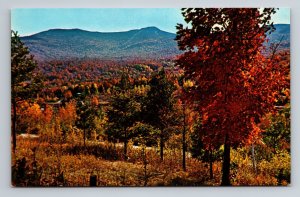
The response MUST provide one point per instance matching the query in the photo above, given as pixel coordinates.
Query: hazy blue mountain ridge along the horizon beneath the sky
(149, 42)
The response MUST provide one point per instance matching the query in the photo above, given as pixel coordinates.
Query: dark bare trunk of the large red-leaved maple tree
(226, 164)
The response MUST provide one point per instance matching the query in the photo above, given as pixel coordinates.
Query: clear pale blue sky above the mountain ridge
(31, 21)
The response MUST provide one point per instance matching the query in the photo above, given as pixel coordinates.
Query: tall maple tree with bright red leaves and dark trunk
(235, 81)
